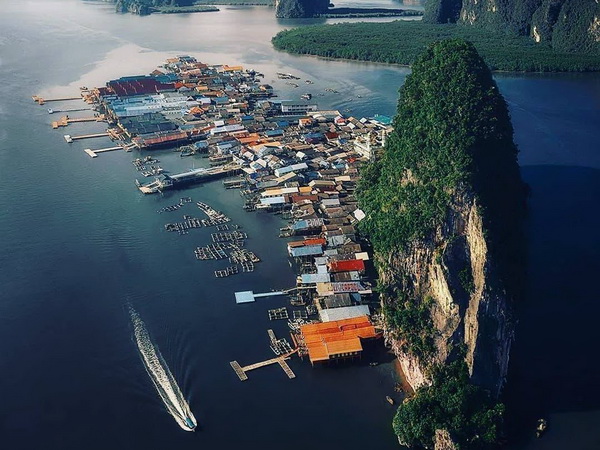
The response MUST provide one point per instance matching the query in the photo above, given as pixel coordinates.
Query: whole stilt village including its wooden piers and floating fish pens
(285, 157)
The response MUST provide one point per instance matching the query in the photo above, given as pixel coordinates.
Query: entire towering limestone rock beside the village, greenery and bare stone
(444, 207)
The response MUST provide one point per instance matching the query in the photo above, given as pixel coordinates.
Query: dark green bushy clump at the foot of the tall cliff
(451, 403)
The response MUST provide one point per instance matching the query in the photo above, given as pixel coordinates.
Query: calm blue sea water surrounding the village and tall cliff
(78, 241)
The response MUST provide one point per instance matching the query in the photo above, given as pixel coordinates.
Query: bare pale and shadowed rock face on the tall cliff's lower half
(455, 269)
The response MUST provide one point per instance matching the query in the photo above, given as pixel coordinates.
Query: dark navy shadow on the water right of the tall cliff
(554, 365)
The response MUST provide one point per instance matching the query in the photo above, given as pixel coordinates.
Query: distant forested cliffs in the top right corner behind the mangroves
(569, 25)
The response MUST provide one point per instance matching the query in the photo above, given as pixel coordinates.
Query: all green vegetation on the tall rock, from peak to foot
(452, 141)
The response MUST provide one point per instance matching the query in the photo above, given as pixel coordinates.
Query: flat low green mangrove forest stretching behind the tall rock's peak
(400, 42)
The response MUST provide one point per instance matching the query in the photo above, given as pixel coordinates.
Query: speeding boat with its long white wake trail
(161, 376)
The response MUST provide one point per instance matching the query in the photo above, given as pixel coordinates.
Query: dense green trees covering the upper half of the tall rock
(452, 129)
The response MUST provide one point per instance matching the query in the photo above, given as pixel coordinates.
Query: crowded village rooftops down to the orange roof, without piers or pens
(295, 159)
